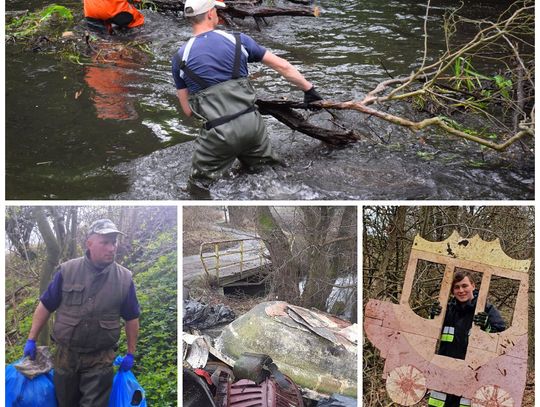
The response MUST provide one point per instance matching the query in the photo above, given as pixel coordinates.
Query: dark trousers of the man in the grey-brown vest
(83, 379)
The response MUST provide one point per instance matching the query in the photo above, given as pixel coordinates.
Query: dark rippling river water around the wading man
(113, 129)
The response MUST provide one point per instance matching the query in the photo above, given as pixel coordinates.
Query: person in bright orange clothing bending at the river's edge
(104, 13)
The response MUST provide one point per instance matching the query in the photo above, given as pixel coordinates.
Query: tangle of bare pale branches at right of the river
(452, 83)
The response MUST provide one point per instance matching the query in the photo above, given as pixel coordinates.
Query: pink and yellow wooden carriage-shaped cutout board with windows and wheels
(494, 370)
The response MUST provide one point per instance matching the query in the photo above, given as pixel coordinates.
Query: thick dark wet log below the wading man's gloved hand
(284, 112)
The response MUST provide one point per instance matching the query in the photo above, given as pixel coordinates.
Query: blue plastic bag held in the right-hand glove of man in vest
(126, 391)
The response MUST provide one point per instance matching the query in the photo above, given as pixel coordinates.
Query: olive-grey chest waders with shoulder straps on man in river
(232, 126)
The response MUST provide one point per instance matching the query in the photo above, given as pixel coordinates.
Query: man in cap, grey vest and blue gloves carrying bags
(89, 295)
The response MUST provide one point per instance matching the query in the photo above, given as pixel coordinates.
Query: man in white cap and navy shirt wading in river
(210, 73)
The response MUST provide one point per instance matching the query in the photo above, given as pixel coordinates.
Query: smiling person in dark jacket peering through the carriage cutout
(456, 329)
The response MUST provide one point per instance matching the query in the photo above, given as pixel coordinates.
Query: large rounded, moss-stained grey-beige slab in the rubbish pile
(310, 360)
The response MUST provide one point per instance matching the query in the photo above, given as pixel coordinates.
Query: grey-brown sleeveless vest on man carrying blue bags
(88, 318)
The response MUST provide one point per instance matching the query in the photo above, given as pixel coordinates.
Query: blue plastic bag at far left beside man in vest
(24, 392)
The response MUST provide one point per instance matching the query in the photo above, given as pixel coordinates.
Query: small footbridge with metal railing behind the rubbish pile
(232, 256)
